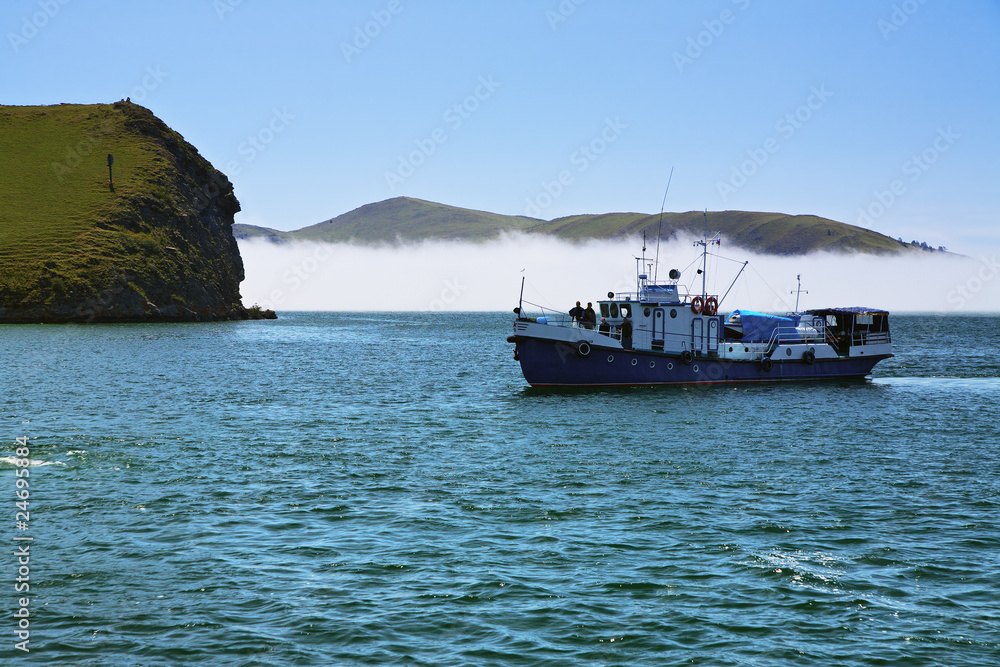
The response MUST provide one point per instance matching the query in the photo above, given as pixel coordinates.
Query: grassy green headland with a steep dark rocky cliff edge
(156, 244)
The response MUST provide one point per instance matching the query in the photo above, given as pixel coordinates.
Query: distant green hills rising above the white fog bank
(404, 219)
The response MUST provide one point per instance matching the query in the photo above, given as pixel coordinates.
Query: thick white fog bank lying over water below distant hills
(465, 276)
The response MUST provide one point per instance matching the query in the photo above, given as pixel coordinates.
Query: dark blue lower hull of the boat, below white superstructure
(551, 364)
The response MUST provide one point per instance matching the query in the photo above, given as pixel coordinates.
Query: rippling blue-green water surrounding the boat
(340, 489)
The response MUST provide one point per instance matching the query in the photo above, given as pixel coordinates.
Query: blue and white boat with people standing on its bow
(680, 337)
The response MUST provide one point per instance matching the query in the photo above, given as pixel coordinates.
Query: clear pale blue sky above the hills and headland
(798, 107)
